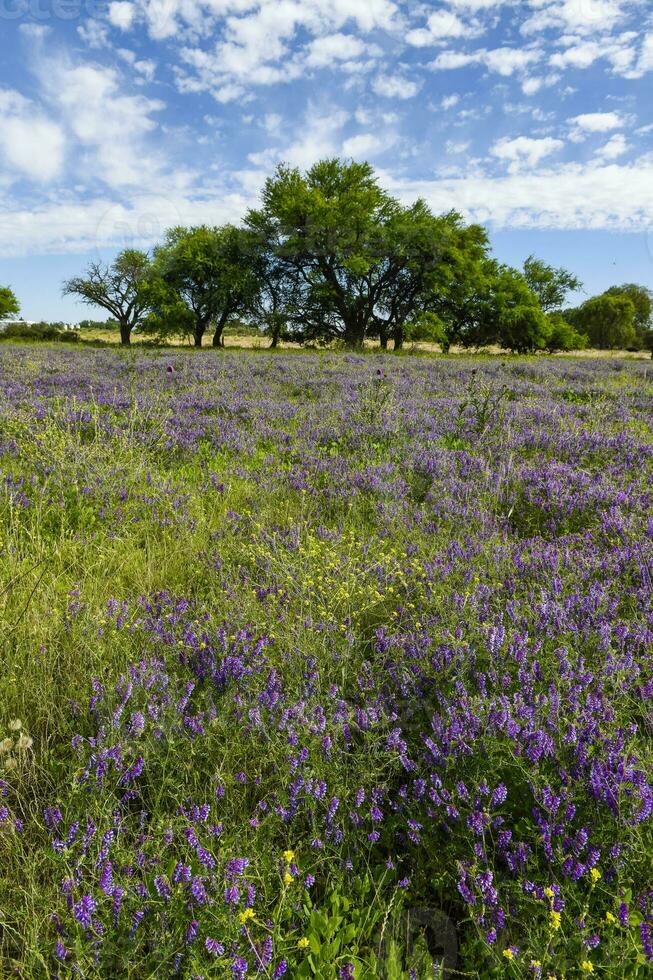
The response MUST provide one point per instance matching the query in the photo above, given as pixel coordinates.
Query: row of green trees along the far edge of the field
(329, 255)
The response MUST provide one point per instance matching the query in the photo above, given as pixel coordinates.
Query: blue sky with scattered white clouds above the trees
(119, 119)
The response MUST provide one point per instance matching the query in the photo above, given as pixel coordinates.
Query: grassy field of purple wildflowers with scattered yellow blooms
(325, 666)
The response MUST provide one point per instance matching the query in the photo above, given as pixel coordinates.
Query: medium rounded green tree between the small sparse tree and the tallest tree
(210, 271)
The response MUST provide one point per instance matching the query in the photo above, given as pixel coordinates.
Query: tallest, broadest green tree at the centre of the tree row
(359, 260)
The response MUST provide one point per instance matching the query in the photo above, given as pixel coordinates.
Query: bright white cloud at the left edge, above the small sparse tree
(30, 144)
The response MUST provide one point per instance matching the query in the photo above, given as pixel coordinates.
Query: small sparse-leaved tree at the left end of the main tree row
(120, 288)
